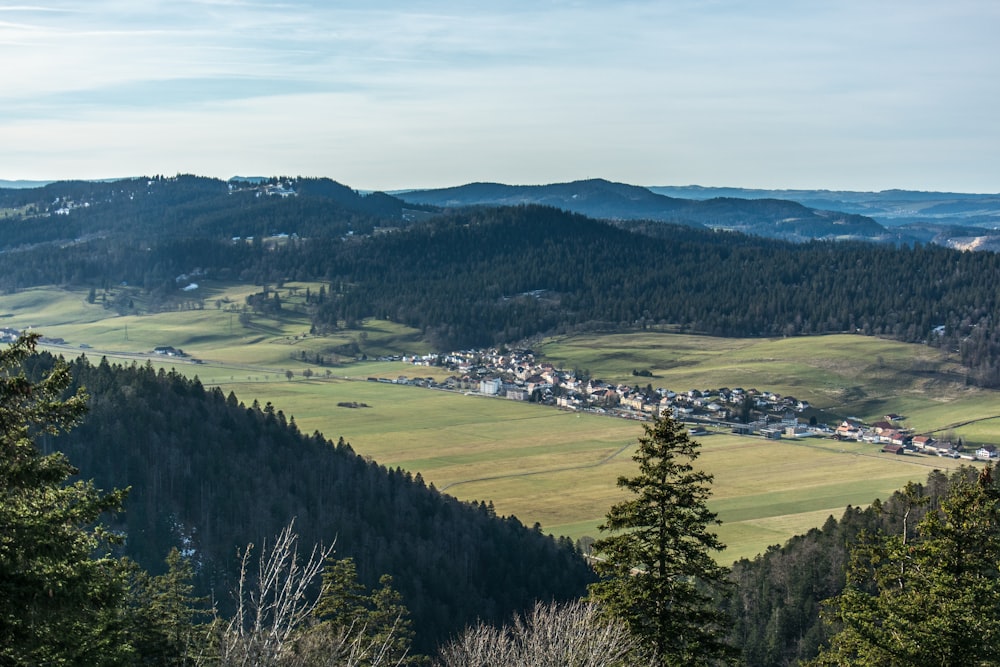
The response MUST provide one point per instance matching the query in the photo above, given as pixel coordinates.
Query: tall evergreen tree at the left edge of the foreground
(60, 594)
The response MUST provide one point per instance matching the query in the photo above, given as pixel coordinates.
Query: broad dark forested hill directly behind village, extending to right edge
(495, 276)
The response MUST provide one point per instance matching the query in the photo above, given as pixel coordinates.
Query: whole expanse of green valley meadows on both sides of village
(541, 464)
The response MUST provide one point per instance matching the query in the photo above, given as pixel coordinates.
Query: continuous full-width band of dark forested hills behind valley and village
(485, 276)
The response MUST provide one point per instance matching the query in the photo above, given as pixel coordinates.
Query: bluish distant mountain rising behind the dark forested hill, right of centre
(598, 198)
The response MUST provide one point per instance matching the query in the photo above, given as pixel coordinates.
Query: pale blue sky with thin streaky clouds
(833, 94)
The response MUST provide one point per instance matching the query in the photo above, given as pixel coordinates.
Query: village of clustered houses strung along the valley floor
(516, 375)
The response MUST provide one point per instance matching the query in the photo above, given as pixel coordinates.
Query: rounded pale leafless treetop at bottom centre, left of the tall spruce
(553, 635)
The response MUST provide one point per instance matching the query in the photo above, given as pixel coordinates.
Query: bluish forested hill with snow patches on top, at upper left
(191, 206)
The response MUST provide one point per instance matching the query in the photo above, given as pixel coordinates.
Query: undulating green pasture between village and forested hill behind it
(844, 374)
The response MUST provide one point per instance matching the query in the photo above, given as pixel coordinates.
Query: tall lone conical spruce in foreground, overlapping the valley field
(656, 564)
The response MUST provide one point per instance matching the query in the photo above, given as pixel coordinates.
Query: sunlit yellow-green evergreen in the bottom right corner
(927, 599)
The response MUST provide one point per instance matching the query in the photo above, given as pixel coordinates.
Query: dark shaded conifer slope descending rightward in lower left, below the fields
(210, 475)
